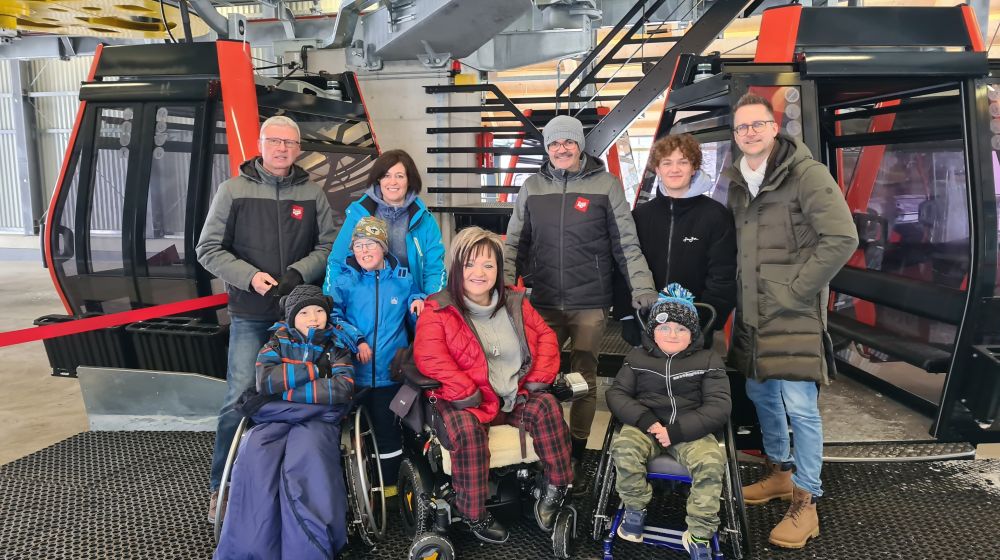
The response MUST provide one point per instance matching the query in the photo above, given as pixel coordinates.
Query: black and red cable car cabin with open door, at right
(904, 107)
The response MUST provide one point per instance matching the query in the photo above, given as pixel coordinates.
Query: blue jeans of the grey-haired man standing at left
(246, 338)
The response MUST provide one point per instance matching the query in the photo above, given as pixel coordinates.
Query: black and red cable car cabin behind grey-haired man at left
(159, 127)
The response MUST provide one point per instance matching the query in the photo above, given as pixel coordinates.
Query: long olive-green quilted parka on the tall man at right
(793, 237)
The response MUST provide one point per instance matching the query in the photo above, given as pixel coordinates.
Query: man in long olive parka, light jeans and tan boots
(795, 232)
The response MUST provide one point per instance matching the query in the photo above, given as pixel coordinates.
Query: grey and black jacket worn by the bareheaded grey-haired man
(259, 222)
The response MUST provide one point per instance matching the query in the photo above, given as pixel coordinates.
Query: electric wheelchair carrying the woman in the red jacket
(425, 493)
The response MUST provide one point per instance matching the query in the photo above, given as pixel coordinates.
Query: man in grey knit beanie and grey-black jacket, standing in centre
(571, 226)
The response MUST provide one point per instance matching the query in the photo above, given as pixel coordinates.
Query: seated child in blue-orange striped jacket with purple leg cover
(287, 497)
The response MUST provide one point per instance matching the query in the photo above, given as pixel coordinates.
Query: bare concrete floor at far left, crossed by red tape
(37, 409)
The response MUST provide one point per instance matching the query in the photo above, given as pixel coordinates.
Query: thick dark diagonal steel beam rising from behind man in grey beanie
(696, 40)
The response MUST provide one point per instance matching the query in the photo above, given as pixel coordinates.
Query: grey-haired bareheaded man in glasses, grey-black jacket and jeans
(268, 230)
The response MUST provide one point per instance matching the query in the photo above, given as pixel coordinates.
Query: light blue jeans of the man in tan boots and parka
(778, 402)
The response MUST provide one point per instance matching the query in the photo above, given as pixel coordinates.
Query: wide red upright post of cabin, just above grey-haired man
(239, 101)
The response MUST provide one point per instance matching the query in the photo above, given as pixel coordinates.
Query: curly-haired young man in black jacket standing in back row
(686, 236)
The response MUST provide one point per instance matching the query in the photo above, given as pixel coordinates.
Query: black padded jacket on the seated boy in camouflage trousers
(688, 393)
